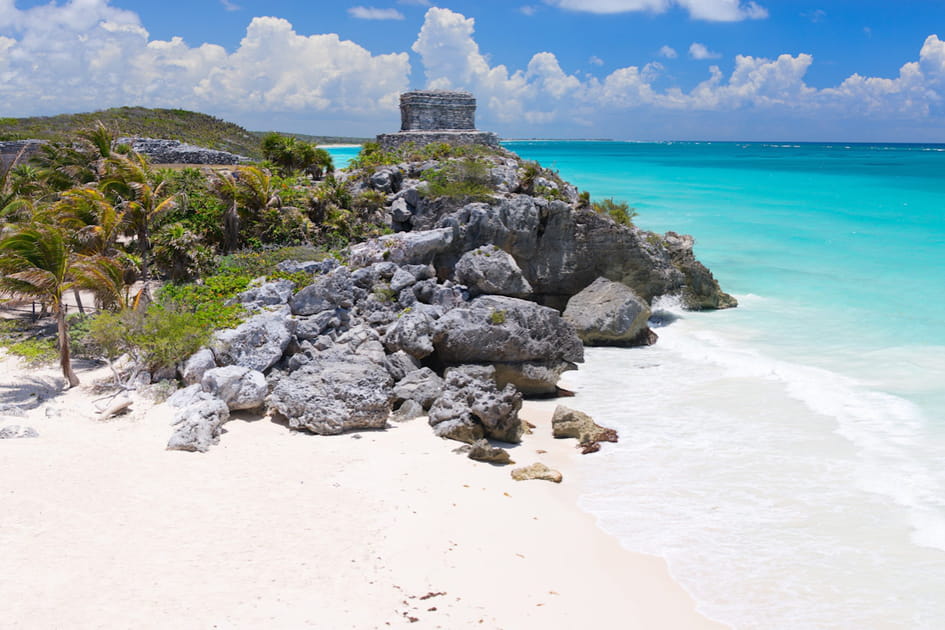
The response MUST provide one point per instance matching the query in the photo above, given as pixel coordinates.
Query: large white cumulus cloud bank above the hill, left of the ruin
(86, 54)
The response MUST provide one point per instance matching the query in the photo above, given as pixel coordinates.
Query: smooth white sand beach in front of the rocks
(104, 528)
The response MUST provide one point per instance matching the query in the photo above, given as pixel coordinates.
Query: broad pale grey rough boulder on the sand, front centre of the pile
(337, 391)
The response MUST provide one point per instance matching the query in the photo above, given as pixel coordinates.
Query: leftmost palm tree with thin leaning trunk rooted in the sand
(35, 262)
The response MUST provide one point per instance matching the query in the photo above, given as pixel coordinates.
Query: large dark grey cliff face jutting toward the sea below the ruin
(561, 250)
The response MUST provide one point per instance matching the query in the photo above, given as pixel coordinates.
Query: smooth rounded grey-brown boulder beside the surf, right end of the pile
(608, 313)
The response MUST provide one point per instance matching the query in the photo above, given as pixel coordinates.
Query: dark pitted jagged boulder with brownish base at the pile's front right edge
(472, 407)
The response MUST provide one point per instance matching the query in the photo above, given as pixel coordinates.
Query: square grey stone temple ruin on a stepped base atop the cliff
(437, 116)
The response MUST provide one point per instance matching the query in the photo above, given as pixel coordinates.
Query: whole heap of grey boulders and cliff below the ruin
(455, 316)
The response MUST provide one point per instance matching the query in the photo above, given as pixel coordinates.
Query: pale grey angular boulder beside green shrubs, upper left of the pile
(258, 343)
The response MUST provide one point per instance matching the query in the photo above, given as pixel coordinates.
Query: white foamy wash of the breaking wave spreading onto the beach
(782, 495)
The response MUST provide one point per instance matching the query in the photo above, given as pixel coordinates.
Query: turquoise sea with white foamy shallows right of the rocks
(786, 457)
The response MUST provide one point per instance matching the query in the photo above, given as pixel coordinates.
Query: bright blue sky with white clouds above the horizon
(863, 70)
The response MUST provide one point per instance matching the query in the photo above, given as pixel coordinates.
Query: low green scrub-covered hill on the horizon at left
(171, 124)
